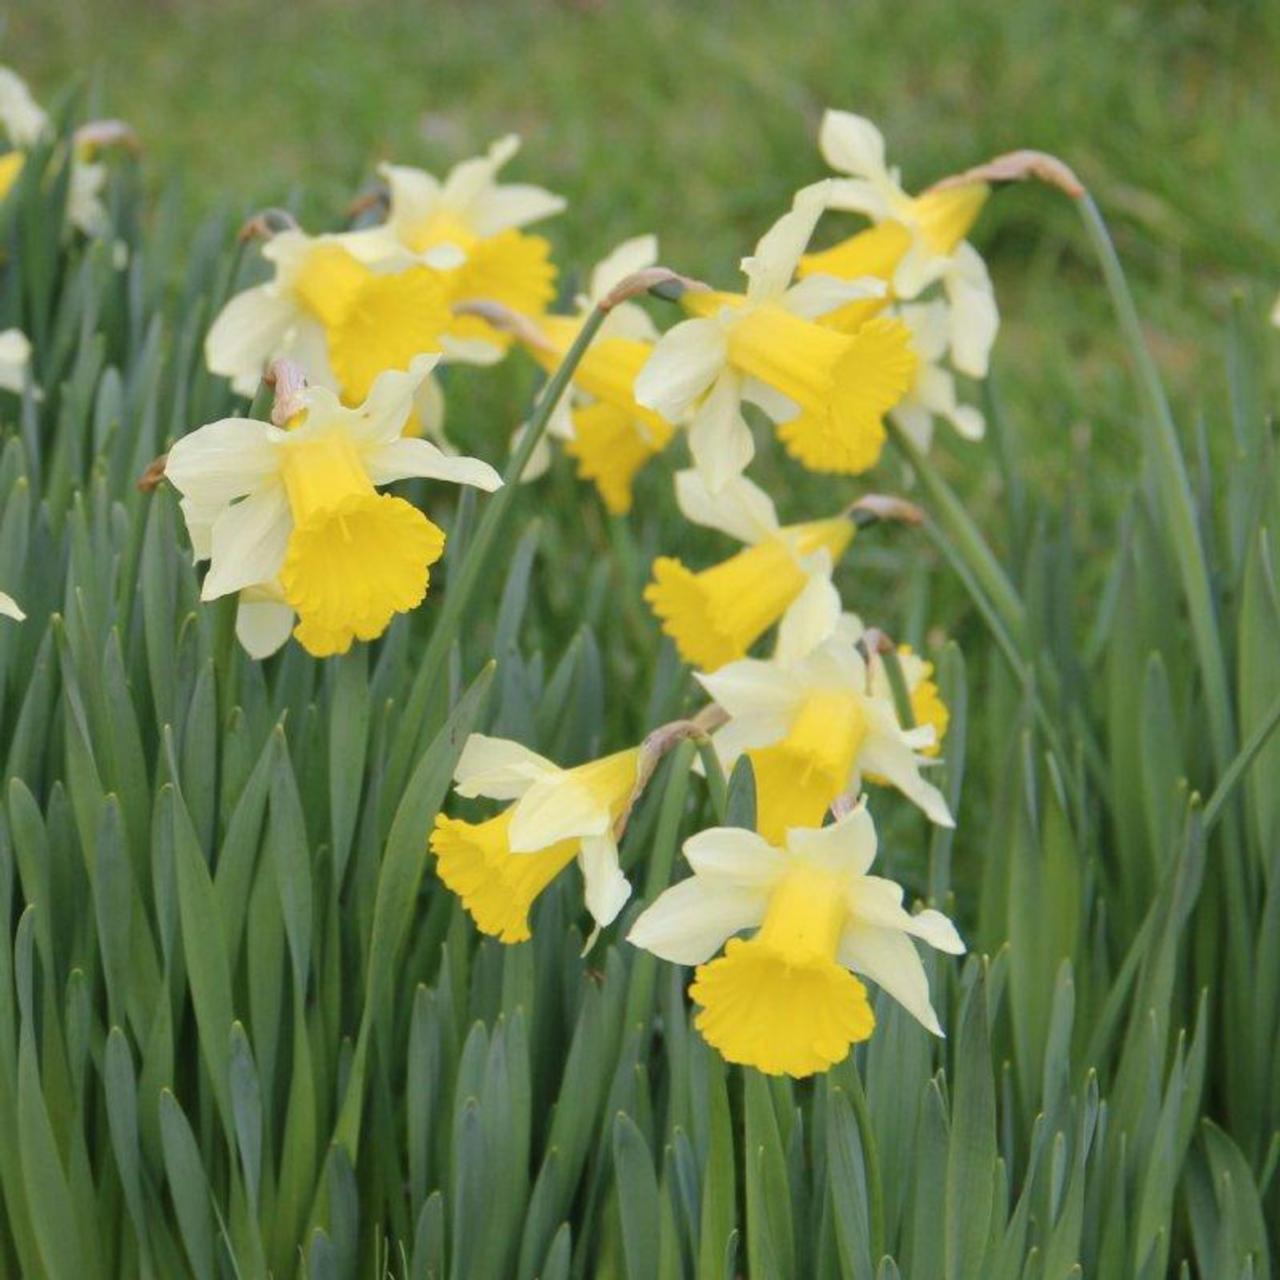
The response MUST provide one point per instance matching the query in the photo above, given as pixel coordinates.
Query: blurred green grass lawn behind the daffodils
(698, 122)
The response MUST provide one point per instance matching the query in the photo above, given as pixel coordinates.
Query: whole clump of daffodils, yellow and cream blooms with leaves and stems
(390, 888)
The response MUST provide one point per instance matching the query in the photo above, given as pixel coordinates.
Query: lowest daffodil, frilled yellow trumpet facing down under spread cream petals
(785, 1000)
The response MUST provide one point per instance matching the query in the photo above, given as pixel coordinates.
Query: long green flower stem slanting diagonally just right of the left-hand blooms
(468, 575)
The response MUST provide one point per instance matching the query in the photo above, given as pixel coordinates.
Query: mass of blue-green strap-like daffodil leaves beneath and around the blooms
(245, 1032)
